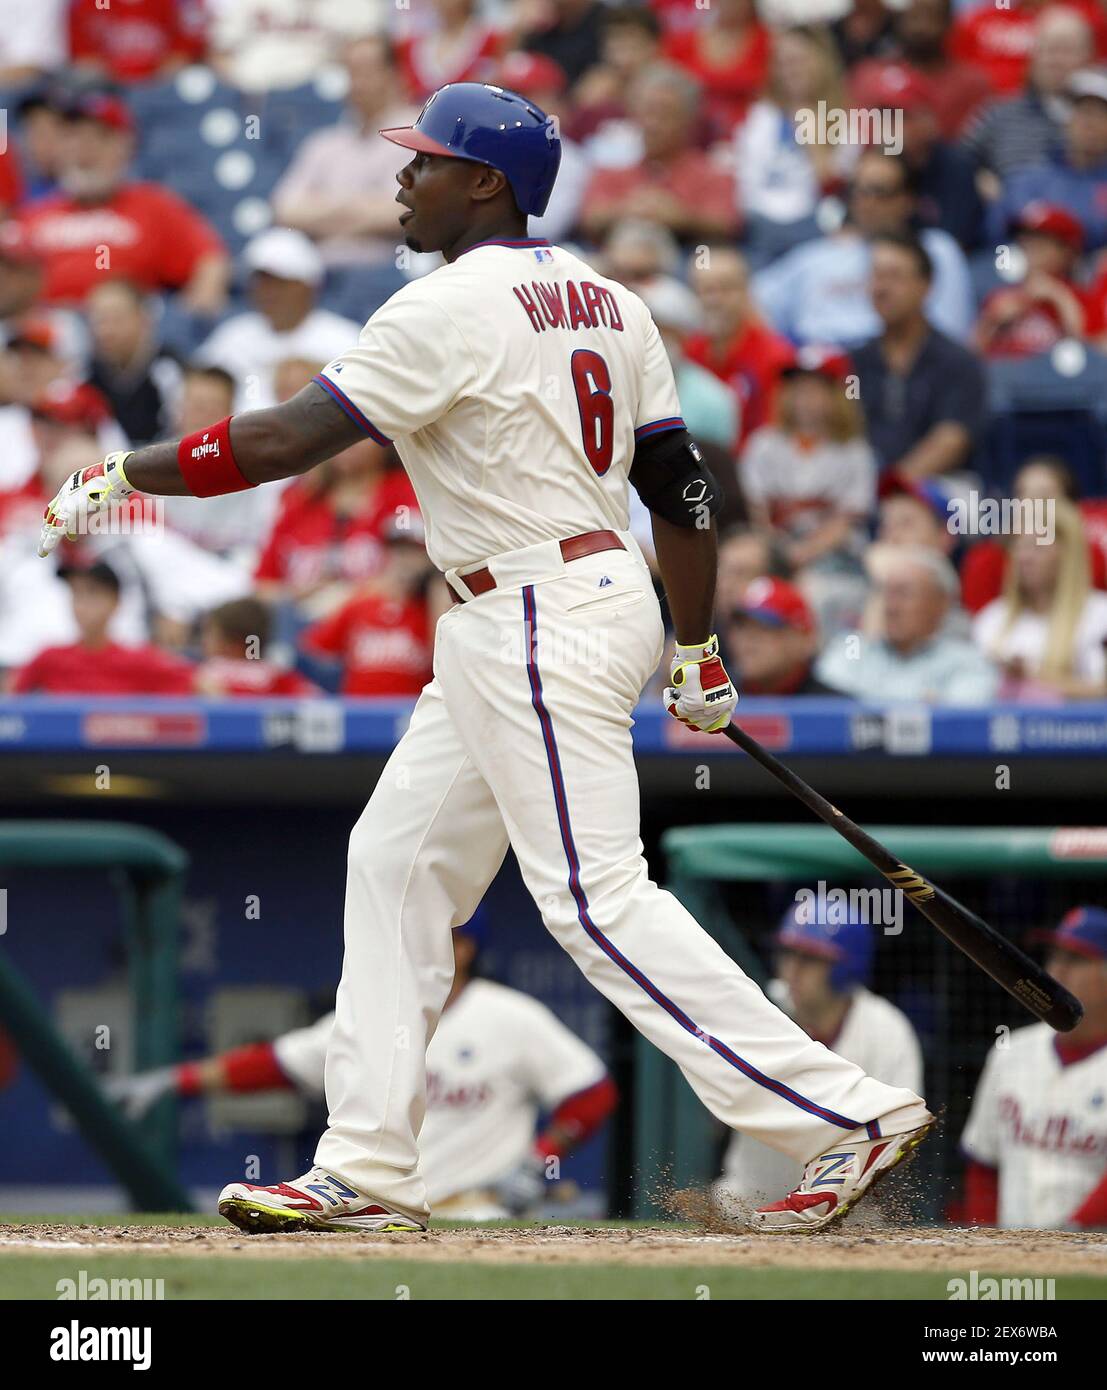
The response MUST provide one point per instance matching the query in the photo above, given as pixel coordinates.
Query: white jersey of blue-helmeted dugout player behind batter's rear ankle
(881, 1040)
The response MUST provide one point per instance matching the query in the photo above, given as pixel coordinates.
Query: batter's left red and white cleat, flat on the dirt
(316, 1202)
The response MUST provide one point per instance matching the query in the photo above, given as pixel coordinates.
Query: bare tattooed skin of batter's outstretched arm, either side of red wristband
(277, 443)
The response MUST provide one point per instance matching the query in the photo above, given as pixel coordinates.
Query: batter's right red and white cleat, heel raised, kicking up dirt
(837, 1181)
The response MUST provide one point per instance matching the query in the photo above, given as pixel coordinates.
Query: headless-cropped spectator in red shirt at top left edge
(134, 41)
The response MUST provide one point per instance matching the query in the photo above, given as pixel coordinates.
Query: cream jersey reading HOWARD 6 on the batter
(515, 383)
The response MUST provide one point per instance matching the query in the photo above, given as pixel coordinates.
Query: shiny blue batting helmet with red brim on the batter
(496, 127)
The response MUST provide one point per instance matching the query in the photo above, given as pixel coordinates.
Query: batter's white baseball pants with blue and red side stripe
(524, 739)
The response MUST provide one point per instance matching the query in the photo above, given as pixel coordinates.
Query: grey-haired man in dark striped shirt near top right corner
(1015, 133)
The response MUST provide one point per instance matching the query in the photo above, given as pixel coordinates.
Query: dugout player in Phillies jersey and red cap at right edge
(1037, 1136)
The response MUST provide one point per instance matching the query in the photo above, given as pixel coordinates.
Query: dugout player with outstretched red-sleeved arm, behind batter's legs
(497, 1058)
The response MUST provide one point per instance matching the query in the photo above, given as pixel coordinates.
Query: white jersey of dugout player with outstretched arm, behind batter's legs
(497, 1060)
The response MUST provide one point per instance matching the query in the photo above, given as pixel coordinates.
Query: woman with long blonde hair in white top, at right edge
(1049, 628)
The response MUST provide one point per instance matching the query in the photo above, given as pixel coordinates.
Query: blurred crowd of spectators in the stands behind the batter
(889, 336)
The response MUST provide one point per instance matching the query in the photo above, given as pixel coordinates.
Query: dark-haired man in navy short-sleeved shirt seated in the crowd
(923, 394)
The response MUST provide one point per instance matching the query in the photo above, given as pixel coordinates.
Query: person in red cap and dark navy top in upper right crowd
(942, 176)
